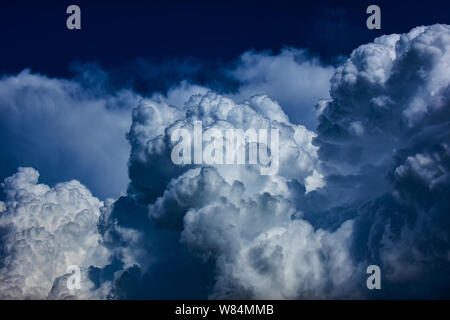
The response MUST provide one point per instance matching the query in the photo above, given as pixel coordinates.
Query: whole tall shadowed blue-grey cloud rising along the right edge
(387, 126)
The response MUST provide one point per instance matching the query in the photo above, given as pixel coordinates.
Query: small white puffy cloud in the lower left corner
(43, 231)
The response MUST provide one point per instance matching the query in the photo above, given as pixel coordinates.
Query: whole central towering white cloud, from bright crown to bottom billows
(230, 215)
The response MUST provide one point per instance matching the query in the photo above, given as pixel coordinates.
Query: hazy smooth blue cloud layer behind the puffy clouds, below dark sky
(75, 129)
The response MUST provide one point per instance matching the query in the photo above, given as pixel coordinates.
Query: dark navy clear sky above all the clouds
(34, 35)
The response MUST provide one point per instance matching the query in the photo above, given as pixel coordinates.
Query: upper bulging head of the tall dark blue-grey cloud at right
(388, 93)
